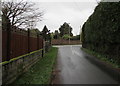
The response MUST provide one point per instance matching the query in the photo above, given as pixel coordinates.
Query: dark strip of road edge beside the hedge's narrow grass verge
(113, 72)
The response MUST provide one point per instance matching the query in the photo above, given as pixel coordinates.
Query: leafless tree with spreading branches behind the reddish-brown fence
(21, 13)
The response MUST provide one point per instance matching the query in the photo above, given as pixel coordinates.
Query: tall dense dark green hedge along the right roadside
(101, 32)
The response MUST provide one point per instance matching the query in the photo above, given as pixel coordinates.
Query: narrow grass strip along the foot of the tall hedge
(104, 58)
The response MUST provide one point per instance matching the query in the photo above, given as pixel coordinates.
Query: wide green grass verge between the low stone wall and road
(40, 73)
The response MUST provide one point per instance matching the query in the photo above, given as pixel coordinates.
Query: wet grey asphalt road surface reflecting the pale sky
(74, 68)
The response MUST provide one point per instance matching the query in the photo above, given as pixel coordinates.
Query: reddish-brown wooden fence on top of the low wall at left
(20, 42)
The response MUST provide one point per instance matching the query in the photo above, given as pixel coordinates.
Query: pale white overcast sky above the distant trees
(56, 13)
